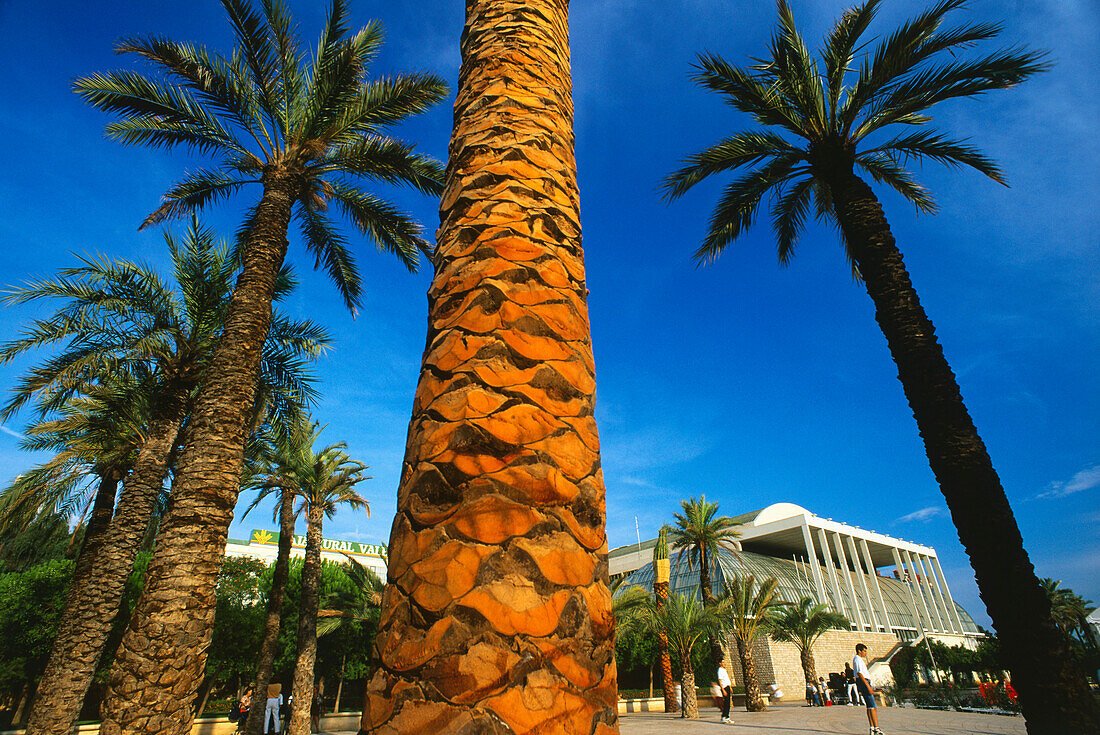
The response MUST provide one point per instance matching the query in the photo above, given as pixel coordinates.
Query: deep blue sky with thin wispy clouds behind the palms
(743, 381)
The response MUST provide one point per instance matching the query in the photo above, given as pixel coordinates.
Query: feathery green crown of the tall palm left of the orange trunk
(268, 111)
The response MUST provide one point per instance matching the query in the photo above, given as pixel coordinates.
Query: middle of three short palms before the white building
(747, 611)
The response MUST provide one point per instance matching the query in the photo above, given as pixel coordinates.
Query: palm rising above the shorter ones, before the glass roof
(701, 534)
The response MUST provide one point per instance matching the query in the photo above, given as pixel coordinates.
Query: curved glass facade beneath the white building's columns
(795, 580)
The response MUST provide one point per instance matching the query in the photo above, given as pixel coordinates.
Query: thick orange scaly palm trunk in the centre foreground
(498, 616)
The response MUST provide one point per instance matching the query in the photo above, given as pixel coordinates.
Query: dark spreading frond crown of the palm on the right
(822, 118)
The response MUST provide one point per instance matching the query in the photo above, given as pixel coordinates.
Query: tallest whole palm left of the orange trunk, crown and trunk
(304, 129)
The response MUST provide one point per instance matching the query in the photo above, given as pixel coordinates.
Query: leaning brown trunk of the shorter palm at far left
(96, 596)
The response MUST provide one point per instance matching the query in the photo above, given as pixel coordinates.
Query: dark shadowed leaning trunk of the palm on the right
(1053, 693)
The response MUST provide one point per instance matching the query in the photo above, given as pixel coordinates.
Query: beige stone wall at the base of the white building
(779, 663)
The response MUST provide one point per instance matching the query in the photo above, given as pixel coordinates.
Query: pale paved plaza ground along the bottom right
(796, 720)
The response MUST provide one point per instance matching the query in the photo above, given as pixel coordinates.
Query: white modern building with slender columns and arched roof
(893, 591)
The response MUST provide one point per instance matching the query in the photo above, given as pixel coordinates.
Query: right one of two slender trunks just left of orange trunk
(309, 605)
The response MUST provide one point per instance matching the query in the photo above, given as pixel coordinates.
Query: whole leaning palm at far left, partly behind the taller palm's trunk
(120, 317)
